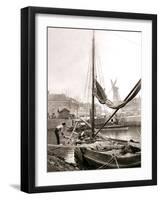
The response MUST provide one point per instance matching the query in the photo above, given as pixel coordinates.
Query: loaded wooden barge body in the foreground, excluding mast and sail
(111, 156)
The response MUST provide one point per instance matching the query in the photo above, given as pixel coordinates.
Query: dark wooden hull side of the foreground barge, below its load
(104, 160)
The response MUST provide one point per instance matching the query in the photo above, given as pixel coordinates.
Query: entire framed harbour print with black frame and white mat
(88, 99)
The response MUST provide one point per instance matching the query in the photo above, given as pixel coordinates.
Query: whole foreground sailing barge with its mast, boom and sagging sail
(115, 154)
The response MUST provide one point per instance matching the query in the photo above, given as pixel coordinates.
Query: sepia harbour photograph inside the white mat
(94, 99)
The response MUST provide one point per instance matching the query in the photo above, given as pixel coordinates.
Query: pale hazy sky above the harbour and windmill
(118, 56)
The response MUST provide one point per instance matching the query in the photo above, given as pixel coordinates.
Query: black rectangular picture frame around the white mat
(28, 98)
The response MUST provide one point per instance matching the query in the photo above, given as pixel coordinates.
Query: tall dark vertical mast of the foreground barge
(93, 85)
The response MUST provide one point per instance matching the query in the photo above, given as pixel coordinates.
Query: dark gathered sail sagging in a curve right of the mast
(102, 97)
